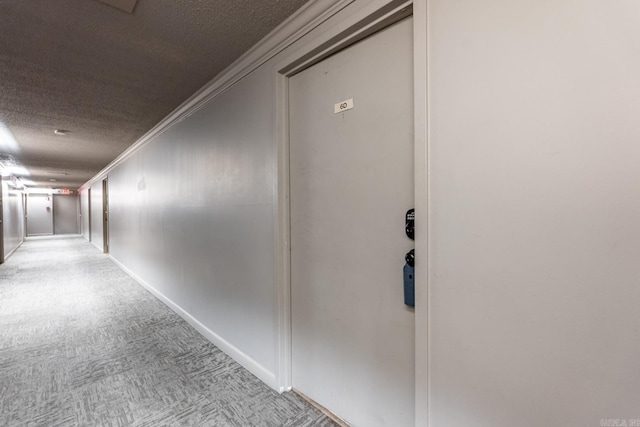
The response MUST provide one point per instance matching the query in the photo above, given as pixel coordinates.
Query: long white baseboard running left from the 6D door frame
(266, 376)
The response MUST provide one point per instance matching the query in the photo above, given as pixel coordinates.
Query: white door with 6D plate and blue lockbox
(351, 185)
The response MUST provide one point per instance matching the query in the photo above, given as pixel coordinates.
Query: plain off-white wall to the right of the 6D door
(535, 212)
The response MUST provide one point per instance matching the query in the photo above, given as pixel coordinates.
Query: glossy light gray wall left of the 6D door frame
(192, 214)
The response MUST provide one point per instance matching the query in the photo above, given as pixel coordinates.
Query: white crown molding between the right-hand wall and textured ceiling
(292, 29)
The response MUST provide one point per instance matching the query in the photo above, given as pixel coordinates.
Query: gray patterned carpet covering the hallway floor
(82, 344)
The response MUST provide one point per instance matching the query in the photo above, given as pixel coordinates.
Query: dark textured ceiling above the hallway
(108, 76)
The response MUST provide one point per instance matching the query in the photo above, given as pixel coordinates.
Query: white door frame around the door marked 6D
(358, 27)
